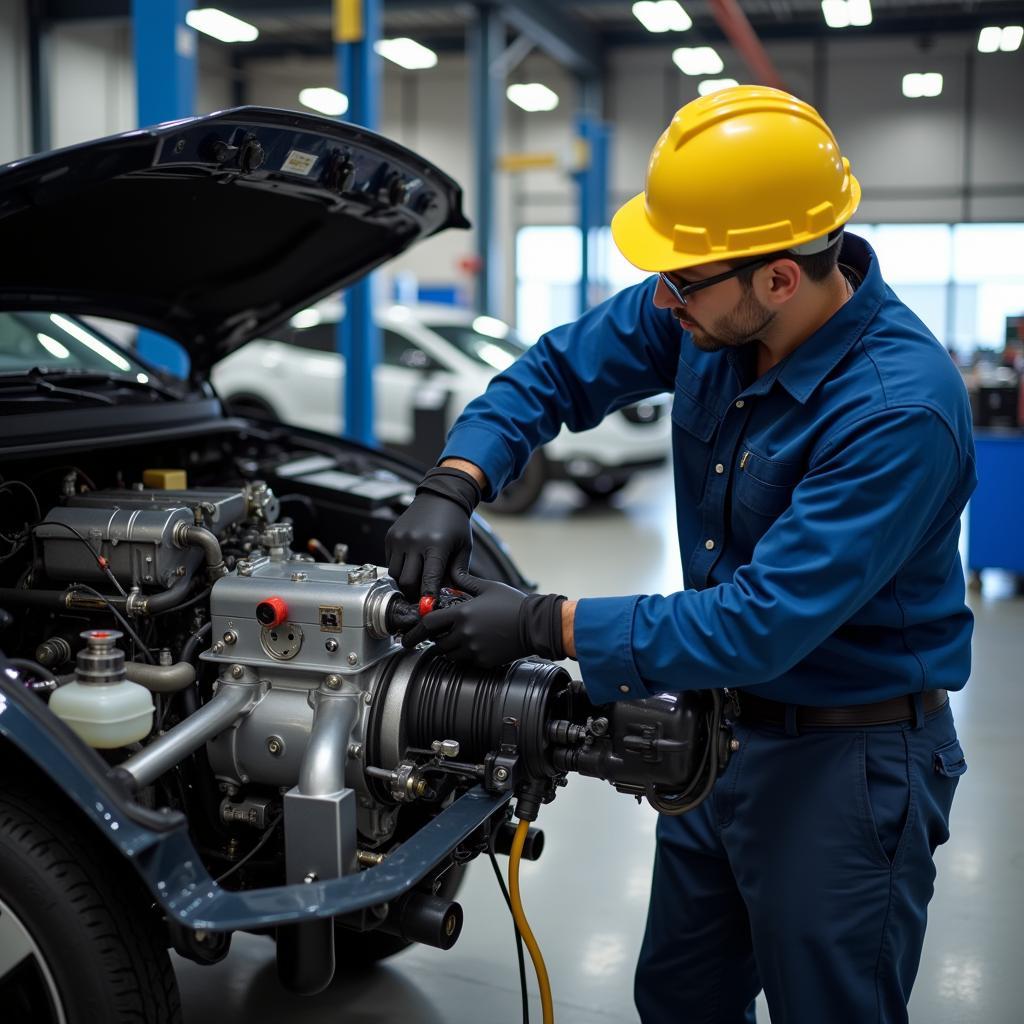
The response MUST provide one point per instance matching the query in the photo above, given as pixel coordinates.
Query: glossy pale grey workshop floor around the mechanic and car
(586, 899)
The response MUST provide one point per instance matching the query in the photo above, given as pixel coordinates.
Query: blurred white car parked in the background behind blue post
(435, 360)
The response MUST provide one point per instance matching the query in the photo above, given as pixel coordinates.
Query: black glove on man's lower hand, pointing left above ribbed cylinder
(498, 624)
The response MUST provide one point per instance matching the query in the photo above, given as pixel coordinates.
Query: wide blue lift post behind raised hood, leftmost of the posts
(165, 87)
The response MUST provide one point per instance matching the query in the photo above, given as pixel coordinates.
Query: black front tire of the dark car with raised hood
(77, 927)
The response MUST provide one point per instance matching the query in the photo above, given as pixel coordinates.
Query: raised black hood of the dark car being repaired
(214, 230)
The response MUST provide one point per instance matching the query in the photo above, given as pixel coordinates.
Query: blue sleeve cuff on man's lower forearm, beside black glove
(604, 635)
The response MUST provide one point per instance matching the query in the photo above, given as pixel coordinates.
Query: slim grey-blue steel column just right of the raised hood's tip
(487, 45)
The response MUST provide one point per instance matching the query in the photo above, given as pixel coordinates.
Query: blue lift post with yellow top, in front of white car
(357, 28)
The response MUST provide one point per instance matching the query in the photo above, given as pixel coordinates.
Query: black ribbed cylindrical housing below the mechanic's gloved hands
(484, 710)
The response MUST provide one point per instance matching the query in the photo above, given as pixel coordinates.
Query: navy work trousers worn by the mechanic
(807, 873)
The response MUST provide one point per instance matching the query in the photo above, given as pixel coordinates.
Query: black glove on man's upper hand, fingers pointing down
(433, 537)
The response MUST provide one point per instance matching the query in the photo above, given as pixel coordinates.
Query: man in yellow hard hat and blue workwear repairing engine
(823, 456)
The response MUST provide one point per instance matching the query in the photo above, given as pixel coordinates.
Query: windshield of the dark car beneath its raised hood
(53, 342)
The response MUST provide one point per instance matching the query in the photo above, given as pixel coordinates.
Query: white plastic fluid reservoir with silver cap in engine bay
(102, 706)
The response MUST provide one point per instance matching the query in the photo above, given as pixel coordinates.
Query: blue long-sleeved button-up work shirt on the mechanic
(819, 505)
